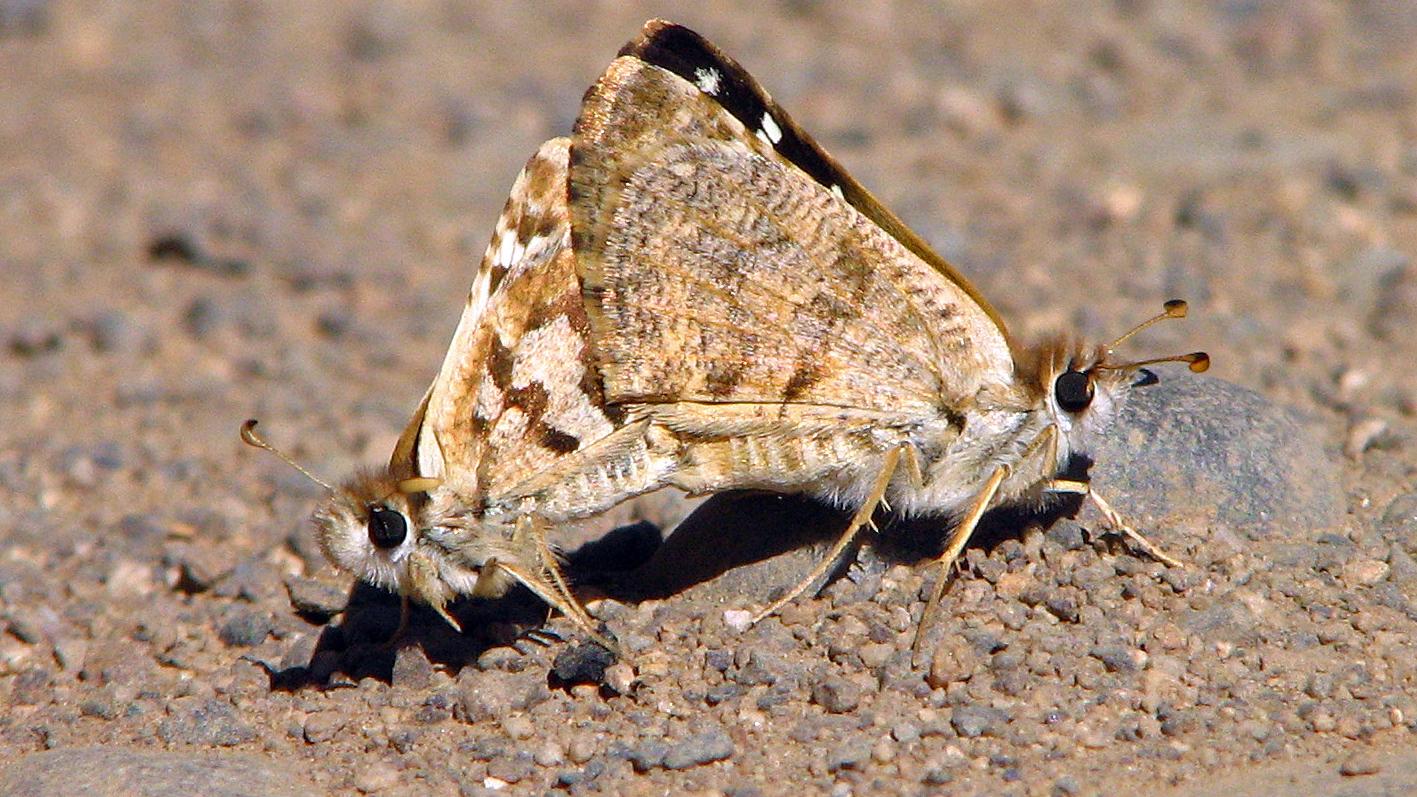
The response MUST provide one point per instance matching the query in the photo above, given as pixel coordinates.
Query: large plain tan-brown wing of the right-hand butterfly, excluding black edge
(718, 270)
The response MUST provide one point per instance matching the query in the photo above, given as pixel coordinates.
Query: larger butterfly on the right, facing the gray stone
(753, 301)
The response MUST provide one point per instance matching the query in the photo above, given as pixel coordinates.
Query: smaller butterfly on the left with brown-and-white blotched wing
(512, 437)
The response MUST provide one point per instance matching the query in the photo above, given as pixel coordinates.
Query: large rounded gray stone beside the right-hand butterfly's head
(1204, 453)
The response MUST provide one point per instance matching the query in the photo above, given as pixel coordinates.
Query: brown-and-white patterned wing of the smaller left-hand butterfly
(516, 392)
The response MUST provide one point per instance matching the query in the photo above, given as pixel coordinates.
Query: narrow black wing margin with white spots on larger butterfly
(696, 60)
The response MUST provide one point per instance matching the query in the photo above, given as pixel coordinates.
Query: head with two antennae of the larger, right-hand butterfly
(1083, 388)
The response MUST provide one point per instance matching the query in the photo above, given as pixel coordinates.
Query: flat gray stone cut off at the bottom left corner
(114, 772)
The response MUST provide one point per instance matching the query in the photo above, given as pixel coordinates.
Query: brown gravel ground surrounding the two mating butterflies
(223, 211)
